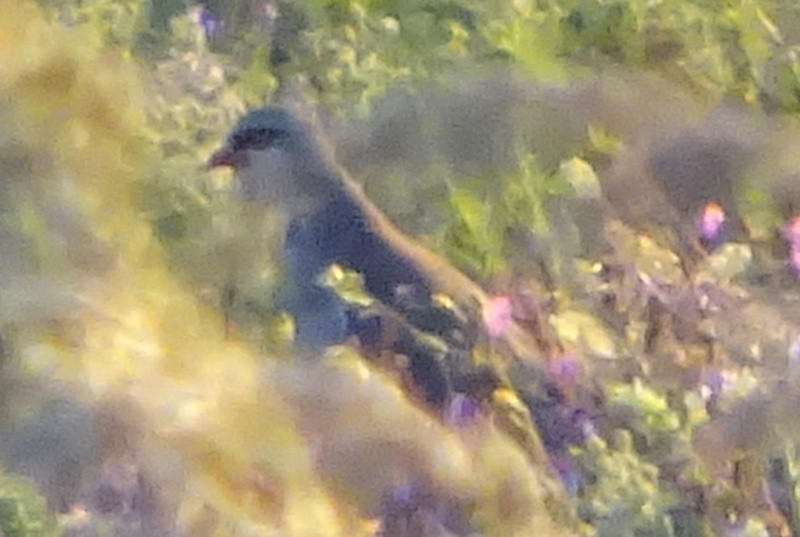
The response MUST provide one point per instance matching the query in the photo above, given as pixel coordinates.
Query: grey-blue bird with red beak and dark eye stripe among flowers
(280, 160)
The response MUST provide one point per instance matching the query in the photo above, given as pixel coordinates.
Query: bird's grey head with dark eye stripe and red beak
(275, 157)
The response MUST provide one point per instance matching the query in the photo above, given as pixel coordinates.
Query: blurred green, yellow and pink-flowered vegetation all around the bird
(146, 380)
